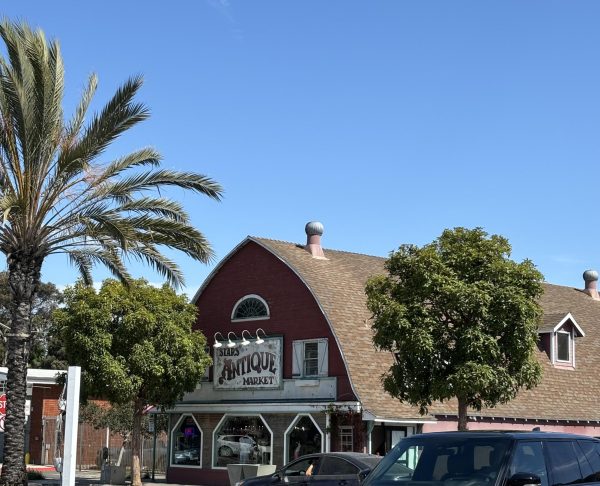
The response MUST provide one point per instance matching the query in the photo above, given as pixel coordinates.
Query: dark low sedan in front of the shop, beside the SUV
(324, 469)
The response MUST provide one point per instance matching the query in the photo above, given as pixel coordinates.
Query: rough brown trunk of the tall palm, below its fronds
(24, 278)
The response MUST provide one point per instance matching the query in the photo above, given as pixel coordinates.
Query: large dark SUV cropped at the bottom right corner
(490, 459)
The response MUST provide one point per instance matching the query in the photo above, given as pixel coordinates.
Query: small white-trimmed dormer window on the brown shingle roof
(558, 334)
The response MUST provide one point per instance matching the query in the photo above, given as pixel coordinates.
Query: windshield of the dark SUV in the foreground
(442, 461)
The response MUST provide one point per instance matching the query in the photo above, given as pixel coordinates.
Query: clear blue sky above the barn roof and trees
(386, 120)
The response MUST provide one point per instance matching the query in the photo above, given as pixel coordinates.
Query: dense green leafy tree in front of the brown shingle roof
(461, 319)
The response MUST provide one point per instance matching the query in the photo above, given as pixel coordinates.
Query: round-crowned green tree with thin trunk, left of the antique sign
(135, 345)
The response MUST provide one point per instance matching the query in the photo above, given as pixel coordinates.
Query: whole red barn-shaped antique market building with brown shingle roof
(295, 370)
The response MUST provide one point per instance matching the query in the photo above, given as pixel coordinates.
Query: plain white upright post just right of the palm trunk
(72, 422)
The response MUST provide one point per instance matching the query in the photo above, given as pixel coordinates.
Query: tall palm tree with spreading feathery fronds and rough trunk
(57, 196)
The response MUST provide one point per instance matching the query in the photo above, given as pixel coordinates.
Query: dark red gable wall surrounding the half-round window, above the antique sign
(294, 311)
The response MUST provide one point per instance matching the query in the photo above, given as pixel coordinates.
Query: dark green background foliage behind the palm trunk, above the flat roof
(44, 352)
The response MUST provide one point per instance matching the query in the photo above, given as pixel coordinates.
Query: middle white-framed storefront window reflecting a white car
(242, 440)
